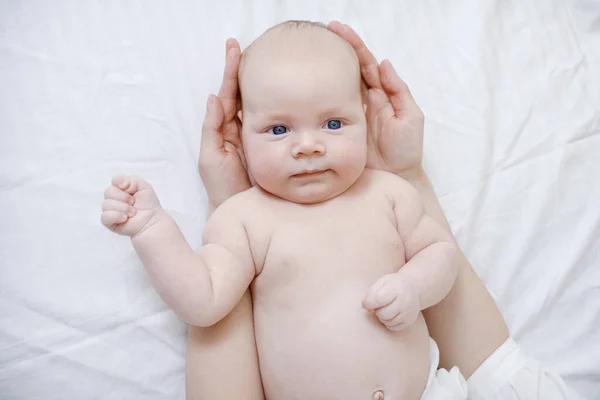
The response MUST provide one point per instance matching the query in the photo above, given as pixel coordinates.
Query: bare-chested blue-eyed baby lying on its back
(341, 259)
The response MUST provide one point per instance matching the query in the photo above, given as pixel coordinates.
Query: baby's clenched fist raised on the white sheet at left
(130, 206)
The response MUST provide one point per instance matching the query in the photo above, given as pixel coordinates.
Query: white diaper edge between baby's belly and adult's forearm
(441, 384)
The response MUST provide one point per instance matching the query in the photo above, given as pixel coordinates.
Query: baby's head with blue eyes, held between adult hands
(304, 127)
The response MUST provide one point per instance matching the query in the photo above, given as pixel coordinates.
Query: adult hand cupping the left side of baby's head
(221, 163)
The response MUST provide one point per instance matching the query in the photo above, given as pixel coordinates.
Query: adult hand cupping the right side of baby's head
(395, 122)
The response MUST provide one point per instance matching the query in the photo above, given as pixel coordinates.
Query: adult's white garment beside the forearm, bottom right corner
(508, 374)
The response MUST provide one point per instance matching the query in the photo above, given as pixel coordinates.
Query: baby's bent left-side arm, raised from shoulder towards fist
(201, 286)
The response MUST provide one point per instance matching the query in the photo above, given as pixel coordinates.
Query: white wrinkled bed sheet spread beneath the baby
(511, 91)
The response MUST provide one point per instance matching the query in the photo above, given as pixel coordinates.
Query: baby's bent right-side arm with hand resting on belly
(430, 270)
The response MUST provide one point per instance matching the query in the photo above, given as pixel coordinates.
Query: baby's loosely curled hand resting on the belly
(395, 300)
